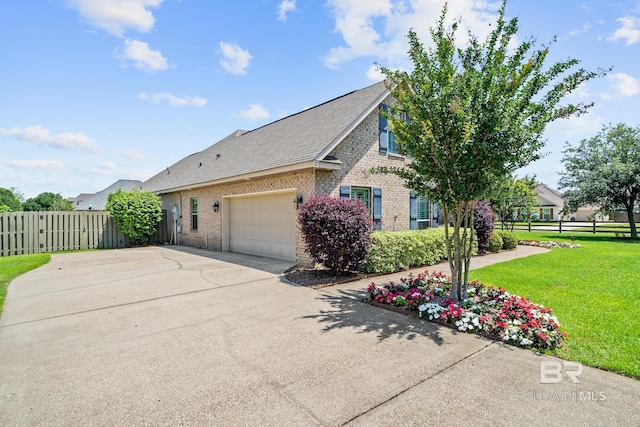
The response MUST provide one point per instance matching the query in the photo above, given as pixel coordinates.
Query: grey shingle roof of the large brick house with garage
(302, 137)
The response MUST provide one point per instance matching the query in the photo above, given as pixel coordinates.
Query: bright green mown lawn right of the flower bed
(594, 291)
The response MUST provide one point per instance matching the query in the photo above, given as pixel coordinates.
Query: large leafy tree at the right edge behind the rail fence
(604, 171)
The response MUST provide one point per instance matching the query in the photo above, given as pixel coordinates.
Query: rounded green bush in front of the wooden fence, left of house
(136, 213)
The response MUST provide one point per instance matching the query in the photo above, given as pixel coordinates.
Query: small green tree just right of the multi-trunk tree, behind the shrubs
(511, 194)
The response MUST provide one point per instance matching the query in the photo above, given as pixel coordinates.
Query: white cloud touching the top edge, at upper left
(116, 16)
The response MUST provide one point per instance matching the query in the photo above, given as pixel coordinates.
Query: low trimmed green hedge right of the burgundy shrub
(400, 250)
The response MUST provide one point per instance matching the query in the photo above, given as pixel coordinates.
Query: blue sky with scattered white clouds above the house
(92, 91)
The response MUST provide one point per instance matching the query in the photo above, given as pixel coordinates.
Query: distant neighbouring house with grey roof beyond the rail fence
(551, 203)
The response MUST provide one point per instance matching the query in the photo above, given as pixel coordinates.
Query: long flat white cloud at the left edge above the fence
(66, 140)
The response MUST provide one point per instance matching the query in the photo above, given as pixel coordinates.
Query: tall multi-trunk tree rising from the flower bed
(468, 116)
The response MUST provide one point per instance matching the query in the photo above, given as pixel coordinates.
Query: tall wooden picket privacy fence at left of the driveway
(36, 232)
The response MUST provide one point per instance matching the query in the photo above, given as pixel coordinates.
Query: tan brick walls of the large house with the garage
(358, 153)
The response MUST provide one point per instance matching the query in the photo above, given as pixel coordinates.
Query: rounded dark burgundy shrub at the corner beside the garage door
(337, 232)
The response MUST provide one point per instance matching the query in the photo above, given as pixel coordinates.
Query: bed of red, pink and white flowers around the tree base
(487, 311)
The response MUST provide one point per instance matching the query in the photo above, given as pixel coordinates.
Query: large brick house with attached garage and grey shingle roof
(241, 194)
